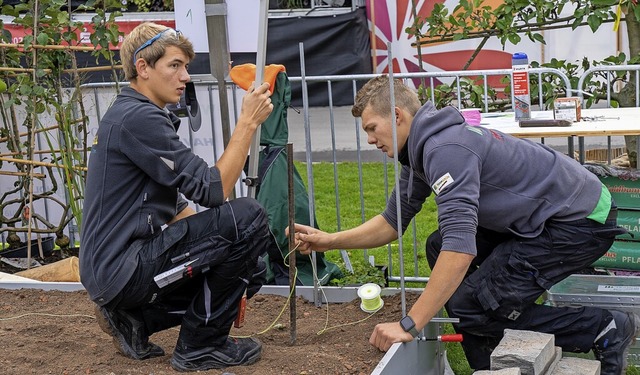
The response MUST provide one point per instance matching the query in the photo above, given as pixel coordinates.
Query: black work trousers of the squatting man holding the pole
(222, 247)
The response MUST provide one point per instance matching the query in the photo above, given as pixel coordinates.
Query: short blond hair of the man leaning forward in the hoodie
(376, 94)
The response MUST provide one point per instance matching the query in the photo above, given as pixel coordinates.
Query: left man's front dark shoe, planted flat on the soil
(235, 352)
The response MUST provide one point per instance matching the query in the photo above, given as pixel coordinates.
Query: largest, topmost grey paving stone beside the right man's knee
(532, 352)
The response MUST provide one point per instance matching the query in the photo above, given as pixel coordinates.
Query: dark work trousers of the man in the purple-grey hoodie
(508, 275)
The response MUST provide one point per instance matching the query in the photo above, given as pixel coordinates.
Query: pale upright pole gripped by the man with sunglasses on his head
(252, 178)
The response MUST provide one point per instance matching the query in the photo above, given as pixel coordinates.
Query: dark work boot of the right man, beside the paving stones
(612, 343)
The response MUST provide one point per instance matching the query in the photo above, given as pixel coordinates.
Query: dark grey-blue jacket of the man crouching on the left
(137, 170)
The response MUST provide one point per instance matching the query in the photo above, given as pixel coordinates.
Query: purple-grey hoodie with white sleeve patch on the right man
(482, 177)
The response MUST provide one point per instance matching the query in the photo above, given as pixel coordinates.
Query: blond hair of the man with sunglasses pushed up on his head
(142, 34)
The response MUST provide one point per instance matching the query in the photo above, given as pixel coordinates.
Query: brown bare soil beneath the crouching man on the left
(53, 332)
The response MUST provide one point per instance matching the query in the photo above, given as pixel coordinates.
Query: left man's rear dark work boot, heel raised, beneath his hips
(128, 333)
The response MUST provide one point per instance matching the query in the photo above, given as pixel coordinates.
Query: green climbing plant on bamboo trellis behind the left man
(42, 113)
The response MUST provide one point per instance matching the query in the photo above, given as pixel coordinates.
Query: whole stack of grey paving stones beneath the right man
(533, 353)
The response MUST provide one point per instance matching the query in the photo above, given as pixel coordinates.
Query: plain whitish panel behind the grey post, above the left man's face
(242, 23)
